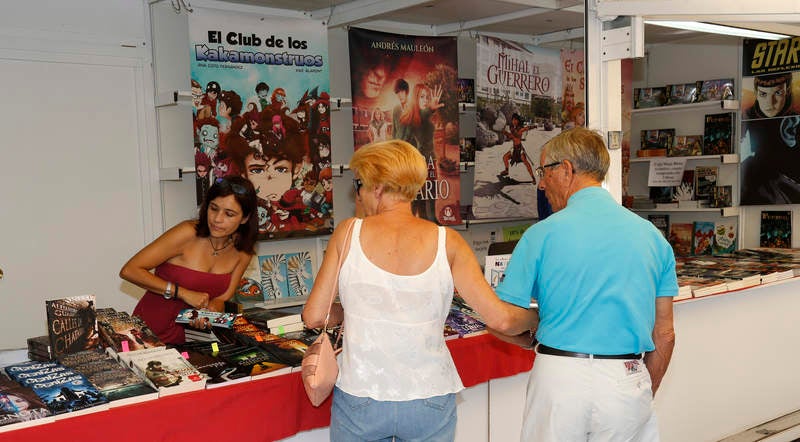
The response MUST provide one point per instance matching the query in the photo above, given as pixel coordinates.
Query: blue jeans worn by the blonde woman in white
(356, 418)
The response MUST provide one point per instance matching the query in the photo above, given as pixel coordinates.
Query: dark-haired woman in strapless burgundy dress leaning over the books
(198, 263)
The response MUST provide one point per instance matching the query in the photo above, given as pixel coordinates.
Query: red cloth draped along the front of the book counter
(266, 409)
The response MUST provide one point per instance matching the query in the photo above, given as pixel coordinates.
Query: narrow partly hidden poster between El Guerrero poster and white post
(573, 84)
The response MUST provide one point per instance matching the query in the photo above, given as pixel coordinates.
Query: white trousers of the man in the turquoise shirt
(576, 399)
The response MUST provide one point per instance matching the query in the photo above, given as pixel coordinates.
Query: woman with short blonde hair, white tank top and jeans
(397, 379)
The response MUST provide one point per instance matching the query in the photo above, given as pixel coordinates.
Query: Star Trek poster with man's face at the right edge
(770, 131)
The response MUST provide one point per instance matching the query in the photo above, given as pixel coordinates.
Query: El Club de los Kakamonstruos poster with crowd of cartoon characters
(261, 109)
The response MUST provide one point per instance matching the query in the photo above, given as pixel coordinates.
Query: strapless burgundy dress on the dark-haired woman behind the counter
(160, 313)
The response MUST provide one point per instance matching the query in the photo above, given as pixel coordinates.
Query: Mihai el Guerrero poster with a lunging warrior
(518, 94)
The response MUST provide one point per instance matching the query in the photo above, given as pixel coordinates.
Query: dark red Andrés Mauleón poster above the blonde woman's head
(404, 87)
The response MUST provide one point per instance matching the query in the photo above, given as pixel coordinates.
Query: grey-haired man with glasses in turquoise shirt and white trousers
(604, 279)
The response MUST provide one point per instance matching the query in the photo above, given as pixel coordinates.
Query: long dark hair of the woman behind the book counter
(245, 194)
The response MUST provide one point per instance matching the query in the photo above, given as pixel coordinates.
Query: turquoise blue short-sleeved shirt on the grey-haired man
(595, 268)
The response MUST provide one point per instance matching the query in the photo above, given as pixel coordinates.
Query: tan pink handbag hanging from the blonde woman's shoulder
(319, 366)
